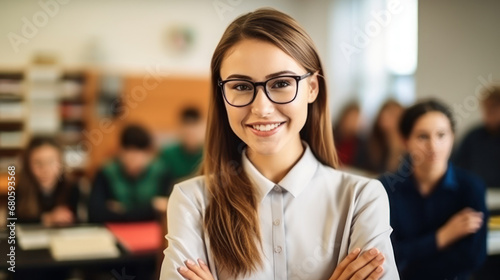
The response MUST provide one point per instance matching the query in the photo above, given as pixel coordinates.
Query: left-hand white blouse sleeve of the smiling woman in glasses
(185, 235)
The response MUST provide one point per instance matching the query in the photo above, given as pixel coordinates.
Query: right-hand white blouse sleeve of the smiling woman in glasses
(371, 227)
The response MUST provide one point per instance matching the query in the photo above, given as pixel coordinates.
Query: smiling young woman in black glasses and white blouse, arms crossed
(270, 204)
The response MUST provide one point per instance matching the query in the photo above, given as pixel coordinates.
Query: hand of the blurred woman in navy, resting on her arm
(463, 223)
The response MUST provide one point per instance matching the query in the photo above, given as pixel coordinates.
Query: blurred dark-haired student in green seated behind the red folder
(132, 186)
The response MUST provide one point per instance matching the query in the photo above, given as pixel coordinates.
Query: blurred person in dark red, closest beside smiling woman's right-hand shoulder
(347, 135)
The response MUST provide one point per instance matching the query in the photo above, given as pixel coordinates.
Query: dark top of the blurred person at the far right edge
(479, 152)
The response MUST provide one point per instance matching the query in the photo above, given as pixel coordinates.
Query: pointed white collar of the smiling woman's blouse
(294, 181)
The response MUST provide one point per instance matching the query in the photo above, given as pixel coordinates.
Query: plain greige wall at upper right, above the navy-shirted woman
(459, 46)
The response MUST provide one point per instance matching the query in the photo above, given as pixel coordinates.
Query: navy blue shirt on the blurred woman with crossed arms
(416, 219)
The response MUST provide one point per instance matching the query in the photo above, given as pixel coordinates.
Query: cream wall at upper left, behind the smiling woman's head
(130, 34)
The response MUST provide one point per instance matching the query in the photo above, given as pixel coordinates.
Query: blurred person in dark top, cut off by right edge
(479, 151)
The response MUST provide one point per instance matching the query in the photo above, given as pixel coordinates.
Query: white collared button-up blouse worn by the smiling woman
(309, 222)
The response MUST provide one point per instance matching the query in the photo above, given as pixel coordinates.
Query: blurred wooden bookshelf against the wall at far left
(76, 104)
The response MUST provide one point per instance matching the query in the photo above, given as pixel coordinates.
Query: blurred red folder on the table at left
(137, 237)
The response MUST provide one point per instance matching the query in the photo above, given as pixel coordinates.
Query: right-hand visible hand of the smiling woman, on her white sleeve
(368, 266)
